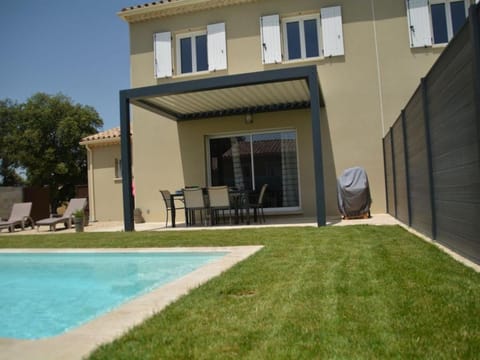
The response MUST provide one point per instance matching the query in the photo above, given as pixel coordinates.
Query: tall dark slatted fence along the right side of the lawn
(432, 152)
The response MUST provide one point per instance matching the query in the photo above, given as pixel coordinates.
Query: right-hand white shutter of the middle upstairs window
(332, 31)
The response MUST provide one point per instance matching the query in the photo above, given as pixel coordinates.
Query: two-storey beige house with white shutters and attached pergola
(289, 93)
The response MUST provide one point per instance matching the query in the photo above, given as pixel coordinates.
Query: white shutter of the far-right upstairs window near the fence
(419, 23)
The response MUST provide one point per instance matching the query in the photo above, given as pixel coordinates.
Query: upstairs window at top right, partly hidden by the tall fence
(447, 18)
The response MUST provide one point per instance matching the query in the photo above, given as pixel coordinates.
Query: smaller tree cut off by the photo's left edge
(8, 164)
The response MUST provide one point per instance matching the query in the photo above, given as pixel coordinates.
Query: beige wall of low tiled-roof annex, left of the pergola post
(104, 188)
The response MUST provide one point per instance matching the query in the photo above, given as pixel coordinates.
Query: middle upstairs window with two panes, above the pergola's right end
(301, 37)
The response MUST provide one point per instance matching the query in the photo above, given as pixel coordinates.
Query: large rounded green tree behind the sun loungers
(46, 139)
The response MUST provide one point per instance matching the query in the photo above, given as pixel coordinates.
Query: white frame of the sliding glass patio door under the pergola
(277, 210)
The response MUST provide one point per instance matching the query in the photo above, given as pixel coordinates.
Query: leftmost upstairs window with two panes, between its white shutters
(192, 55)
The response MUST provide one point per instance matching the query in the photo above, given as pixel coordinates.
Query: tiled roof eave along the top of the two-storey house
(164, 8)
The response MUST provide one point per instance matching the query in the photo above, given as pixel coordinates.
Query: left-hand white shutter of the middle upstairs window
(271, 43)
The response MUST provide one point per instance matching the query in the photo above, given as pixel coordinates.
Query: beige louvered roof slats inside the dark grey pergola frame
(256, 98)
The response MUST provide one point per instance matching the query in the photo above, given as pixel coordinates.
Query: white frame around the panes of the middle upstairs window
(303, 49)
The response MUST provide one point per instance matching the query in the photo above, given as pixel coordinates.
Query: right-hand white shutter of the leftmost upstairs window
(217, 47)
